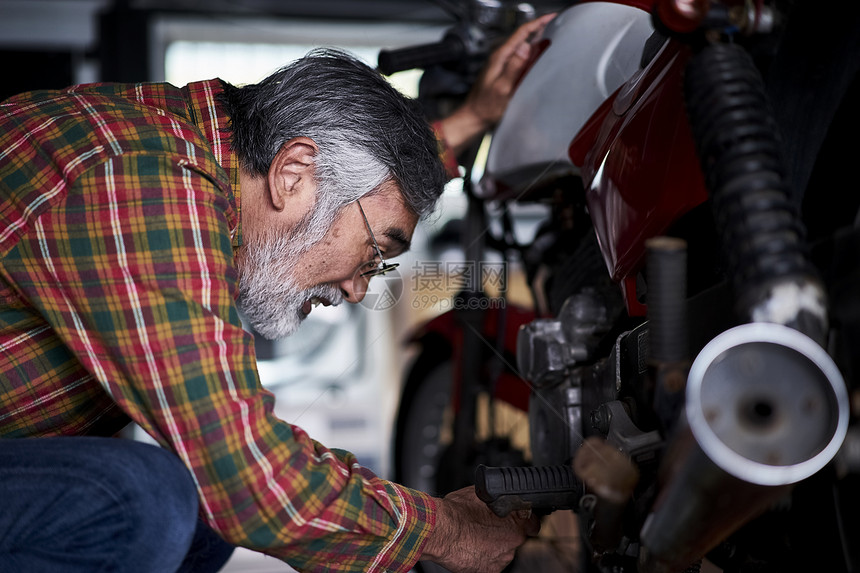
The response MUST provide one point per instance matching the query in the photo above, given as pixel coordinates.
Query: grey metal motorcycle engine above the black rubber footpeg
(582, 371)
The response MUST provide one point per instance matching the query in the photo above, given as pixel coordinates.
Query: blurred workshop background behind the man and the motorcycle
(340, 376)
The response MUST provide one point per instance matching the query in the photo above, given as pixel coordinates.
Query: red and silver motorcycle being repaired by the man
(688, 370)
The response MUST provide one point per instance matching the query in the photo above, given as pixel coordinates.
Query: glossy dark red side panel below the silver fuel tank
(639, 165)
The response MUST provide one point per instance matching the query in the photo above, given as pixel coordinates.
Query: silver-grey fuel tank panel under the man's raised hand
(595, 47)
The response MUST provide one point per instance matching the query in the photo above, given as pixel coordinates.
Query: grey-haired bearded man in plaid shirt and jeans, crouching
(135, 222)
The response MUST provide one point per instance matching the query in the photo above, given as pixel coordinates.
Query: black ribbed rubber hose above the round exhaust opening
(739, 149)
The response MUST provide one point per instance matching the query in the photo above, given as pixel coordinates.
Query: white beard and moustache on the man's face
(268, 296)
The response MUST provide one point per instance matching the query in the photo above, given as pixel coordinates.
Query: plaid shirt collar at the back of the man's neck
(210, 117)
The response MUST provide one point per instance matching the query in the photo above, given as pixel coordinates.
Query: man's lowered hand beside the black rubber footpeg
(469, 538)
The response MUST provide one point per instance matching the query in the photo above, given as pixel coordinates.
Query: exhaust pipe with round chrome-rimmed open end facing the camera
(766, 407)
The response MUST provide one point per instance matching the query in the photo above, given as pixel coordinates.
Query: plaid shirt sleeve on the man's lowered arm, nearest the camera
(134, 271)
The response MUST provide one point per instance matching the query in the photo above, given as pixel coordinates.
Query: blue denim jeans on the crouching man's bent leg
(88, 505)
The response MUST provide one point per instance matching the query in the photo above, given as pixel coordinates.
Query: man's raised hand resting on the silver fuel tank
(486, 103)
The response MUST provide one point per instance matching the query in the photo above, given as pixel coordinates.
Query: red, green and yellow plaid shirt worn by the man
(119, 212)
